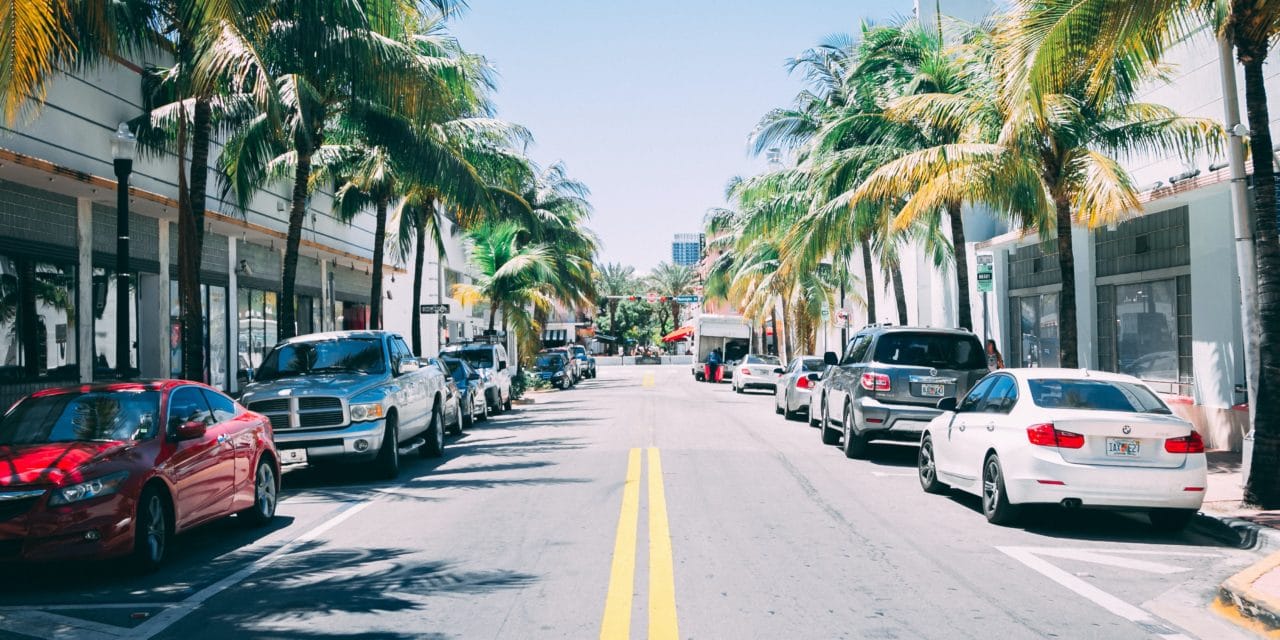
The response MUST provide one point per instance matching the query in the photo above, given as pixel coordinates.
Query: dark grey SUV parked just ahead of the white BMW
(890, 381)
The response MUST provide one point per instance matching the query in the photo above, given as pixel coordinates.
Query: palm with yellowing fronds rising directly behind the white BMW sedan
(1055, 163)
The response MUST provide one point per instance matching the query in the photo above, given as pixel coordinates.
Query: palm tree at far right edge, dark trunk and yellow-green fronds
(1063, 36)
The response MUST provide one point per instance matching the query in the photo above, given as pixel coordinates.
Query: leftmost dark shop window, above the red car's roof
(38, 321)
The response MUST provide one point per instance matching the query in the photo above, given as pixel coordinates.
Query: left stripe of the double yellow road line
(618, 604)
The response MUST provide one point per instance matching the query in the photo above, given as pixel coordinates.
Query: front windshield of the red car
(94, 417)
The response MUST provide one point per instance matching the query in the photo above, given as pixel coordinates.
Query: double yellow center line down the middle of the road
(662, 580)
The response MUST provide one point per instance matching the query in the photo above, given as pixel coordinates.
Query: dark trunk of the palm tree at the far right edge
(1263, 487)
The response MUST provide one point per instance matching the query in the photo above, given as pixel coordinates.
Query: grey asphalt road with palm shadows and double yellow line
(644, 504)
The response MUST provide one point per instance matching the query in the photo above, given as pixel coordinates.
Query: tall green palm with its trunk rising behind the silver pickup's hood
(332, 62)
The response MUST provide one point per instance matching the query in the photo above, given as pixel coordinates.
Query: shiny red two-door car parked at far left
(111, 470)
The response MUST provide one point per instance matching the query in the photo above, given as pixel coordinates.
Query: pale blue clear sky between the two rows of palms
(651, 104)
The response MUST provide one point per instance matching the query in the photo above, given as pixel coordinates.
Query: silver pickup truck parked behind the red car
(350, 397)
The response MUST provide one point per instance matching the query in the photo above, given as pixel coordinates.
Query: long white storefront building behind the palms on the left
(58, 245)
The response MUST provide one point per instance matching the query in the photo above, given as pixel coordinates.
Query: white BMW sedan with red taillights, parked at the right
(1066, 437)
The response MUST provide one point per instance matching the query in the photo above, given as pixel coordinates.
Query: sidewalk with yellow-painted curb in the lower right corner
(1252, 595)
